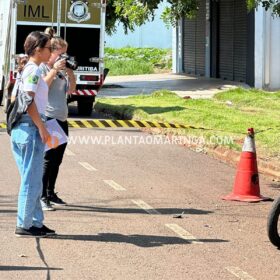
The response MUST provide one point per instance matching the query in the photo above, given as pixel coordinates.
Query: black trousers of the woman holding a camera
(52, 161)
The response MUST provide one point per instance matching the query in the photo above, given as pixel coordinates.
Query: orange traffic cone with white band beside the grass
(246, 185)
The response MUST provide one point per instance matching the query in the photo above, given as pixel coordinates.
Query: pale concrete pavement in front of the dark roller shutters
(183, 85)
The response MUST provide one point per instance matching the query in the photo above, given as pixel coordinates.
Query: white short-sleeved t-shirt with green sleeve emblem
(33, 81)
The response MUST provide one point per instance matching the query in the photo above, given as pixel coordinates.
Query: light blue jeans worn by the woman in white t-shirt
(28, 151)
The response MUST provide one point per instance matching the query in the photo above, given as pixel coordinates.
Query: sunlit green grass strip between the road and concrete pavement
(228, 114)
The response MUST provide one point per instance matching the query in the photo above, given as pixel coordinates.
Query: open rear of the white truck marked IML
(81, 23)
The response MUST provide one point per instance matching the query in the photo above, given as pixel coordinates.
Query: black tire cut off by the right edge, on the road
(273, 223)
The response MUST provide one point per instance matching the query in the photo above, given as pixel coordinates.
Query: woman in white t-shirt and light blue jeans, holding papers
(28, 139)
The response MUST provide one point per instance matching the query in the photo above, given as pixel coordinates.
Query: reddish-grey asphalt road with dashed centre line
(123, 194)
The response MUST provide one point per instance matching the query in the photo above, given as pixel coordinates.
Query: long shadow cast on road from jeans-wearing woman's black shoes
(135, 239)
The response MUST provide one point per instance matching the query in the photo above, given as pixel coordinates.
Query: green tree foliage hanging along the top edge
(133, 13)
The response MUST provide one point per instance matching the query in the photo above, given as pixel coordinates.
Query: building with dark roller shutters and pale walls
(225, 41)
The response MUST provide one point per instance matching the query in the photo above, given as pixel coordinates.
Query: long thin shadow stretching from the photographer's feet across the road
(164, 211)
